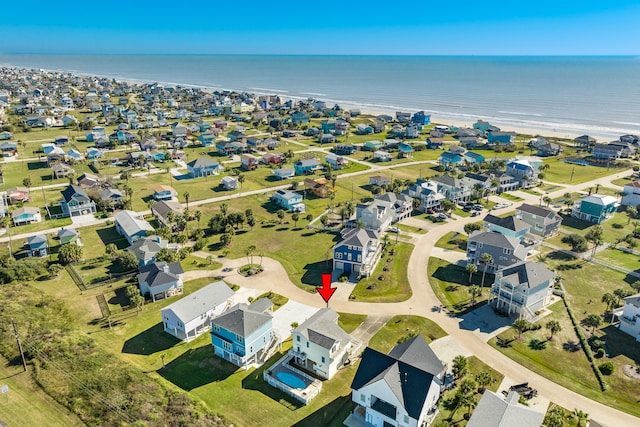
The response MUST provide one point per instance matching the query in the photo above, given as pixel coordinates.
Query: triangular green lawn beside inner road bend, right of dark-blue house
(387, 286)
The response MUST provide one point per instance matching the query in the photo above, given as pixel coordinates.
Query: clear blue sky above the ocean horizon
(558, 27)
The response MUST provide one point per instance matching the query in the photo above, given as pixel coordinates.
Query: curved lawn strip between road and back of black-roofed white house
(399, 328)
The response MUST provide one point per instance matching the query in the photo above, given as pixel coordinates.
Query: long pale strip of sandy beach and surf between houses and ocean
(549, 129)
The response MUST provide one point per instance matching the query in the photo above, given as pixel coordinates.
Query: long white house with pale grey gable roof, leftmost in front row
(191, 316)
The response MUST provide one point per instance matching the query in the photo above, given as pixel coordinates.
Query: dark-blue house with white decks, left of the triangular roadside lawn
(357, 253)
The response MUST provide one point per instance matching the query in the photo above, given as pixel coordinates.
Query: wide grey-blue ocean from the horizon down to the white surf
(576, 95)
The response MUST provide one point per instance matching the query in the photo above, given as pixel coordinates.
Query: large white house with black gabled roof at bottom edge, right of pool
(401, 388)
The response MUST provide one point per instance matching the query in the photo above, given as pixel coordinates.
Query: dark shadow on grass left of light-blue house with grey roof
(197, 367)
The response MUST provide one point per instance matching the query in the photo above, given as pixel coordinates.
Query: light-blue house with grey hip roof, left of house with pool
(244, 335)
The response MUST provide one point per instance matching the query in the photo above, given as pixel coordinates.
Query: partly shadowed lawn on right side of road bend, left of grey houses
(451, 284)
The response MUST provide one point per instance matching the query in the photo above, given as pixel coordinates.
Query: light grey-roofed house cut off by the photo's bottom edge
(497, 410)
